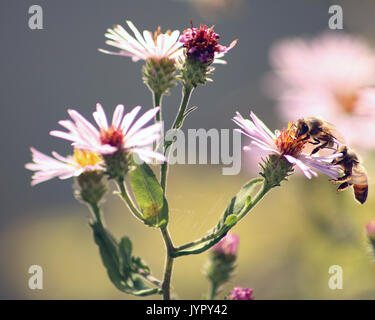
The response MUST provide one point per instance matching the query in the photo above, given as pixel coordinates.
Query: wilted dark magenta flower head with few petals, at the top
(202, 44)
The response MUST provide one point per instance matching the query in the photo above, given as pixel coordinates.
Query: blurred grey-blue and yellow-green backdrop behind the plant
(288, 242)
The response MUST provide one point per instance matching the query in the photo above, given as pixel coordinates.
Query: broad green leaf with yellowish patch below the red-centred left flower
(149, 195)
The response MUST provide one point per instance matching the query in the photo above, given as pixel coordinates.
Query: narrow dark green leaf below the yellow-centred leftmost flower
(109, 253)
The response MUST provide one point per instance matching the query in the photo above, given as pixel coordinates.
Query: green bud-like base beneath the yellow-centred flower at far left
(91, 187)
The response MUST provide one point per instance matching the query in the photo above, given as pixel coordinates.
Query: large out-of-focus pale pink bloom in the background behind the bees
(330, 76)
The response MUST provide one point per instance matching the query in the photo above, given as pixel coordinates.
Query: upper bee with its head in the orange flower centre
(321, 133)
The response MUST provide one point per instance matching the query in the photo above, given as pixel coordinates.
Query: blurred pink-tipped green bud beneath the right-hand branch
(222, 260)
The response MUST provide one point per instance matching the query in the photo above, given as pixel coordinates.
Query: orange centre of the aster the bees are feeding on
(287, 143)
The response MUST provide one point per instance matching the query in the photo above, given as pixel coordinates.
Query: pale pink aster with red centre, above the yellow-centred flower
(123, 134)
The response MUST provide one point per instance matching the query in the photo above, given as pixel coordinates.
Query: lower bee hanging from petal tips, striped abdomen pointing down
(354, 173)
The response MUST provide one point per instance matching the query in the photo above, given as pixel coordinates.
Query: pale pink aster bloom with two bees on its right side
(284, 144)
